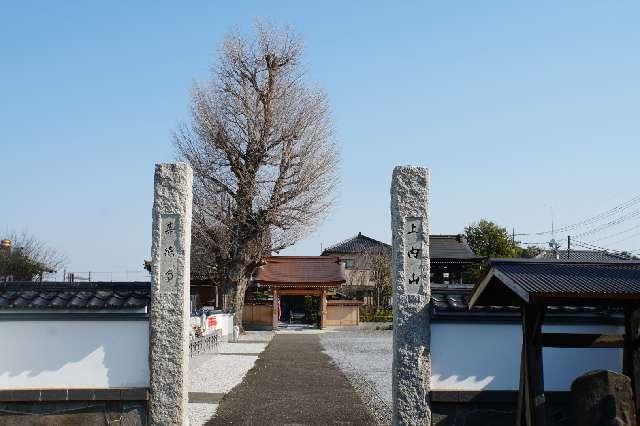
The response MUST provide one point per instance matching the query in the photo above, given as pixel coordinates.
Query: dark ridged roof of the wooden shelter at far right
(513, 281)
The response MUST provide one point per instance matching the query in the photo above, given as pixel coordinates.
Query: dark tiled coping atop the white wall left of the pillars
(91, 296)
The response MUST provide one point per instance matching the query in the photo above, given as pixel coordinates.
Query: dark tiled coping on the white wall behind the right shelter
(449, 302)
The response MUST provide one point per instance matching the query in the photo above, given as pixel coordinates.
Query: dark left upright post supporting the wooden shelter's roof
(532, 316)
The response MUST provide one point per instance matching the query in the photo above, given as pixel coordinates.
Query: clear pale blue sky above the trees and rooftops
(517, 109)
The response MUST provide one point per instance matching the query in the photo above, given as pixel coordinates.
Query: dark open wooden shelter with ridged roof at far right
(538, 285)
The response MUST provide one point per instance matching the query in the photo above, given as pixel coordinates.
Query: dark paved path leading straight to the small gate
(293, 382)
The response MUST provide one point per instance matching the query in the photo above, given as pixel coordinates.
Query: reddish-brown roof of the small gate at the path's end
(301, 270)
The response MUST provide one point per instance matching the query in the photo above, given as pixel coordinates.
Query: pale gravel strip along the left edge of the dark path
(219, 373)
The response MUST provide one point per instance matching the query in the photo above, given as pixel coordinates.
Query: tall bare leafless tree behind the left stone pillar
(262, 147)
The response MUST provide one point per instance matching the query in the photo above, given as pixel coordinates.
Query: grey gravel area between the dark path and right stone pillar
(365, 356)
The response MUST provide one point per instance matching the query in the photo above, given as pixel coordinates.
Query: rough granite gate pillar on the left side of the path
(169, 310)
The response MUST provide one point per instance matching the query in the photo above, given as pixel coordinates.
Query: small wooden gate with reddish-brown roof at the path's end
(301, 276)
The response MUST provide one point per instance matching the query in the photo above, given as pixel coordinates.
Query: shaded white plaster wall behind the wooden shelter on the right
(487, 356)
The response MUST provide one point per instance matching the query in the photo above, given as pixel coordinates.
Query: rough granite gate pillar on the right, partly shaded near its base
(411, 295)
